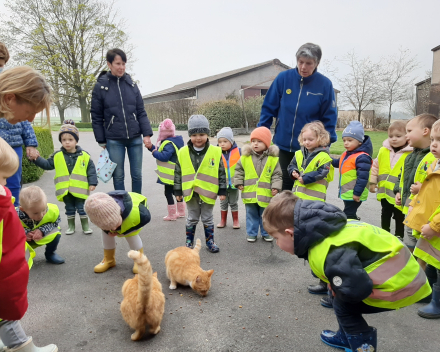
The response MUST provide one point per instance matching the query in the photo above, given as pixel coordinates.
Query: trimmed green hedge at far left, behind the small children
(31, 172)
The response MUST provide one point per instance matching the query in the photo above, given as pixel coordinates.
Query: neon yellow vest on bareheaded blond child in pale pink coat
(387, 177)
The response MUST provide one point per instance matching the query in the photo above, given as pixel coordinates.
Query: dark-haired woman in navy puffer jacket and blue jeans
(119, 119)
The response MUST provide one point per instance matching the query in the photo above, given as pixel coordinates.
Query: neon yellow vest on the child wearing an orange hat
(257, 189)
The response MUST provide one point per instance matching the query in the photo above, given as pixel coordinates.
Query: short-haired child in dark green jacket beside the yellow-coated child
(418, 131)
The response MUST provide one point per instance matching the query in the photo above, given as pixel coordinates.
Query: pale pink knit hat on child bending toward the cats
(103, 211)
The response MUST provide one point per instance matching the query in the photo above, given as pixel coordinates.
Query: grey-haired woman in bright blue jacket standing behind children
(296, 97)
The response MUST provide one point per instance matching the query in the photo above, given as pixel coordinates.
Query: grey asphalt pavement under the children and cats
(78, 310)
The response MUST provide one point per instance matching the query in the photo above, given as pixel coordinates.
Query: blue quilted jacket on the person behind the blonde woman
(19, 134)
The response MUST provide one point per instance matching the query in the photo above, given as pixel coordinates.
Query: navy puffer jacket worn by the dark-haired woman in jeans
(117, 109)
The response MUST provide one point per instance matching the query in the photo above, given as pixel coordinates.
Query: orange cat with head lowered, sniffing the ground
(183, 267)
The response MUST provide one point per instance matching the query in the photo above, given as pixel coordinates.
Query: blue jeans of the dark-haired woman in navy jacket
(116, 150)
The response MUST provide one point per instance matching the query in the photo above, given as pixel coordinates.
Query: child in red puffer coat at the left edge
(14, 271)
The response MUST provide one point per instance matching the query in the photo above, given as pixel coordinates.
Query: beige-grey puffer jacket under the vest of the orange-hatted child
(259, 161)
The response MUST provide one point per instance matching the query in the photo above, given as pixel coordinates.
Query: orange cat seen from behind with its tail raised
(143, 302)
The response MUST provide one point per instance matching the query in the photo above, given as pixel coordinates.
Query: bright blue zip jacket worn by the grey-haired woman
(294, 101)
